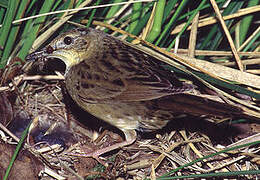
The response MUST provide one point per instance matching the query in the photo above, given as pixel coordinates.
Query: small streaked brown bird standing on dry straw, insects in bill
(123, 86)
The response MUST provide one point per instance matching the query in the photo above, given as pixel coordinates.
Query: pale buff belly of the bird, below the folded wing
(130, 116)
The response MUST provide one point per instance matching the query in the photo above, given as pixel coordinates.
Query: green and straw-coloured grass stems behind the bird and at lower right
(223, 33)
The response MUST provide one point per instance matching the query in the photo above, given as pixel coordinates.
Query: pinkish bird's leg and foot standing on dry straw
(130, 137)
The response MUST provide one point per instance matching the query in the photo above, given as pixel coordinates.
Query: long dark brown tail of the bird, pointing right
(202, 106)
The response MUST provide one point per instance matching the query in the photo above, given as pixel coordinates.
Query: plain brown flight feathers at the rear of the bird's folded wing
(150, 85)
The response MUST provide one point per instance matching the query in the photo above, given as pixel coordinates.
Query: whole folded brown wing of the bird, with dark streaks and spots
(126, 75)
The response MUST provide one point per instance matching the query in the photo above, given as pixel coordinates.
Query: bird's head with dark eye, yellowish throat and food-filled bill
(71, 47)
